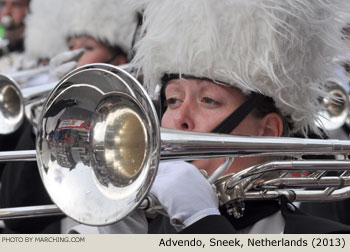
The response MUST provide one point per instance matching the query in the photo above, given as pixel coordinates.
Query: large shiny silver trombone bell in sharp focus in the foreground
(98, 144)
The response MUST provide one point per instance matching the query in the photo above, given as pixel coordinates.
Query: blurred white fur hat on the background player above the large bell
(109, 21)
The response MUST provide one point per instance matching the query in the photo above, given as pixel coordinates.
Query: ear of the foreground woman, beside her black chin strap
(271, 125)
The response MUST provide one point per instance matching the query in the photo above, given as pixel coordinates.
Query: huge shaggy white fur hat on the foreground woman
(282, 49)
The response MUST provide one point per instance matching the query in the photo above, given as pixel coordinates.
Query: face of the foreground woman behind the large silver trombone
(201, 105)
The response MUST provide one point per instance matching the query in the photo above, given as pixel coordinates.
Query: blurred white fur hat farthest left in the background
(43, 36)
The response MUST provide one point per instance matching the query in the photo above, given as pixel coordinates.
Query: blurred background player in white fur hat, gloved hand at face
(94, 38)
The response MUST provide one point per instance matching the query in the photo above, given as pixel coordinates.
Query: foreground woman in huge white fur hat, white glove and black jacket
(235, 67)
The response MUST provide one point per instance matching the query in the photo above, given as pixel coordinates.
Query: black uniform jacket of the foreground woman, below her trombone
(296, 221)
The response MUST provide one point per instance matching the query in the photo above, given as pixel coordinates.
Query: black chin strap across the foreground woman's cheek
(237, 116)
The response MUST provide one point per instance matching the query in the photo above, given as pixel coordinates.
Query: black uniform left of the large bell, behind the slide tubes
(21, 185)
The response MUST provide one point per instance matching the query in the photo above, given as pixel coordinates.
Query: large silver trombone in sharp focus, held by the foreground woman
(99, 144)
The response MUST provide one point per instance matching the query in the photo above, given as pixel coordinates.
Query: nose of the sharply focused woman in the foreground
(184, 119)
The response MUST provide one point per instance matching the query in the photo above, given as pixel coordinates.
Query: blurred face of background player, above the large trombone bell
(95, 52)
